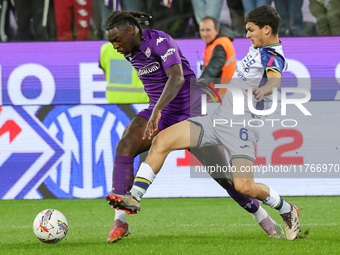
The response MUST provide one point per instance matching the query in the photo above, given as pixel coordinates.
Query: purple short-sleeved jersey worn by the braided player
(159, 51)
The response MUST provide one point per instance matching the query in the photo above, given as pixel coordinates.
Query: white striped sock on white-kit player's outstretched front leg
(143, 180)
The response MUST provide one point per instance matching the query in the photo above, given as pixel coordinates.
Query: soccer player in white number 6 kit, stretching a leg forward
(259, 72)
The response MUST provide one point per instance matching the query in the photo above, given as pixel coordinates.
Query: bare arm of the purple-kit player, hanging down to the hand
(171, 89)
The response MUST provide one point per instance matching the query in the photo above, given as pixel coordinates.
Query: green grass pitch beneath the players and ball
(170, 226)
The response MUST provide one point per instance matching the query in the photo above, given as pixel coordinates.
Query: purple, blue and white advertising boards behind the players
(58, 135)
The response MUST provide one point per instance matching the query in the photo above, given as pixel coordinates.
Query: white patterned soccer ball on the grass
(50, 226)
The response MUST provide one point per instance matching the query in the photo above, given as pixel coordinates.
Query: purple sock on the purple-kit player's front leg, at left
(123, 176)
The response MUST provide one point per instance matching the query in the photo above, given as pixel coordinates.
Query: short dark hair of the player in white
(264, 15)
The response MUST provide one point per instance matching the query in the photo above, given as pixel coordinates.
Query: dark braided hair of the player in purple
(127, 18)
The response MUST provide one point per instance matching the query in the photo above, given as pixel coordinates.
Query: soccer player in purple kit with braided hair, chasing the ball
(166, 76)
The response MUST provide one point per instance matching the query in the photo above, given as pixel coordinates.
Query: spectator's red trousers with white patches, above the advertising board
(68, 10)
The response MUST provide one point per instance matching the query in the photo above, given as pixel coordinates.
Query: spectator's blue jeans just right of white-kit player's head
(291, 23)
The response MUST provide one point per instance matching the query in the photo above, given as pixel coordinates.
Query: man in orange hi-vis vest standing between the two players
(219, 52)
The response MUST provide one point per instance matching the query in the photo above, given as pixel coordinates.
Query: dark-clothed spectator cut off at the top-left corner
(6, 31)
